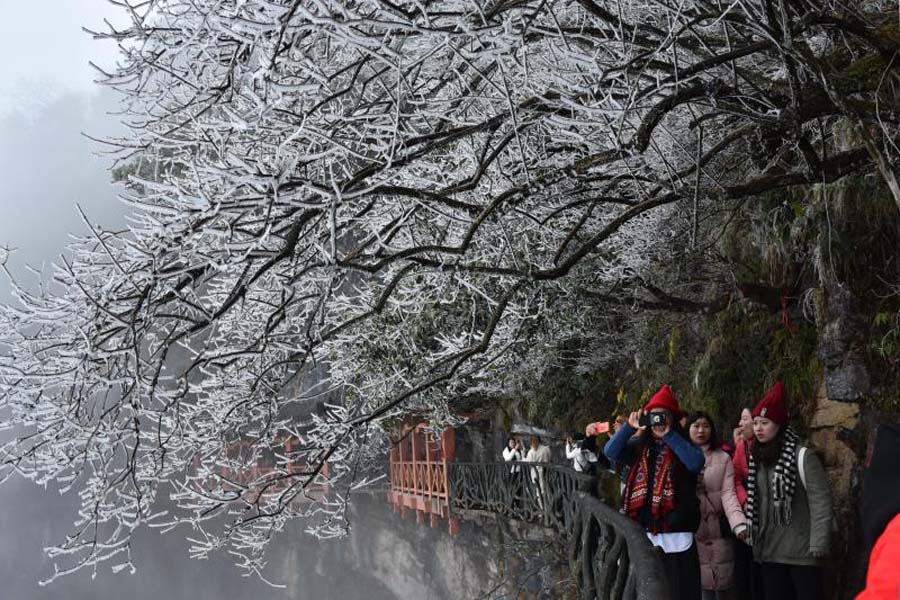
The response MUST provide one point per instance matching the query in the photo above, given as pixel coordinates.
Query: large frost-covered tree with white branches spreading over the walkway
(346, 210)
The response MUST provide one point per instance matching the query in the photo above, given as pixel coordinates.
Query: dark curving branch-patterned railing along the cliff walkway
(609, 555)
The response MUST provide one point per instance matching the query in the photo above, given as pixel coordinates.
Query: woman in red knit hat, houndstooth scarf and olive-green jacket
(788, 505)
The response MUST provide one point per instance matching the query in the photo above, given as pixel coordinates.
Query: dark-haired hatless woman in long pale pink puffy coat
(720, 512)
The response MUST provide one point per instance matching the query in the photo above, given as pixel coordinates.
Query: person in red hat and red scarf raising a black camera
(661, 487)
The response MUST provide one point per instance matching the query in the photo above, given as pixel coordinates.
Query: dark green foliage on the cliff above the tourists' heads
(782, 252)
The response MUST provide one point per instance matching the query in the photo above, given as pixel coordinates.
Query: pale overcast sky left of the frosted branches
(47, 100)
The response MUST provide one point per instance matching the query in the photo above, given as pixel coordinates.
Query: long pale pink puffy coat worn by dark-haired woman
(716, 492)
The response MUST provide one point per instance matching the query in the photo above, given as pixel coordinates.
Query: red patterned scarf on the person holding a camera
(662, 496)
